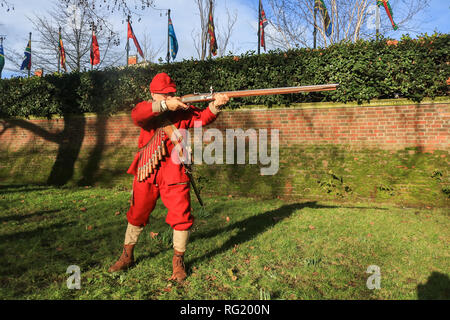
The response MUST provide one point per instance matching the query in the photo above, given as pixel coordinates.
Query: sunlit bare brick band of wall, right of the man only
(385, 127)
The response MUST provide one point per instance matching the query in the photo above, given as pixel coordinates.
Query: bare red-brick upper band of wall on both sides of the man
(425, 126)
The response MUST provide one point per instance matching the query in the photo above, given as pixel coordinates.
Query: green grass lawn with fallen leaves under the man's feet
(240, 248)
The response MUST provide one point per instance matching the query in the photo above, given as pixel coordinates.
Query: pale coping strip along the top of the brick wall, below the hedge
(294, 106)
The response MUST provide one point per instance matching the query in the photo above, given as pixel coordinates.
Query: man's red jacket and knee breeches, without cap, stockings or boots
(169, 181)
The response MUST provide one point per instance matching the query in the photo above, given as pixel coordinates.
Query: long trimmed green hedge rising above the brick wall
(413, 69)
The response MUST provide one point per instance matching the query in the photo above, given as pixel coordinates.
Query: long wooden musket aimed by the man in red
(206, 97)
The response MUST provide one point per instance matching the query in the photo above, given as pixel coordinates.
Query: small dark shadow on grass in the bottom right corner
(437, 287)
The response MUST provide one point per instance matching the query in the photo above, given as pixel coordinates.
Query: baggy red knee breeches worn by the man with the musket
(175, 197)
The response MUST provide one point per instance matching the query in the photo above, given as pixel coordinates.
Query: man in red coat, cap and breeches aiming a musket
(169, 181)
